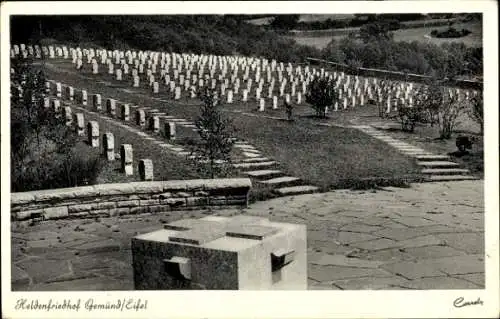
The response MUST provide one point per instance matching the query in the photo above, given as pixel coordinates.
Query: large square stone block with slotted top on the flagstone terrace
(222, 253)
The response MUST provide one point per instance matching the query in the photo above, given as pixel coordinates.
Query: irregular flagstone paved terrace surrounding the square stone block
(429, 236)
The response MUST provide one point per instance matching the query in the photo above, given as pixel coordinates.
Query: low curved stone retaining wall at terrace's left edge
(107, 200)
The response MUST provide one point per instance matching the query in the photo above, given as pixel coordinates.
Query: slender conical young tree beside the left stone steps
(215, 134)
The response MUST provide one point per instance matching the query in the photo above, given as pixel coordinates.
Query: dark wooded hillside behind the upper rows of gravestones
(215, 34)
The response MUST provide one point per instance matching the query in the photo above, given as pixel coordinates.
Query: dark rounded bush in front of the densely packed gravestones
(321, 94)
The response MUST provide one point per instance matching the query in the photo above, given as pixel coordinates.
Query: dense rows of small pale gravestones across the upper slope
(393, 94)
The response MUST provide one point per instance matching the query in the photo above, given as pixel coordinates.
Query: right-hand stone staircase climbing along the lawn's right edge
(433, 166)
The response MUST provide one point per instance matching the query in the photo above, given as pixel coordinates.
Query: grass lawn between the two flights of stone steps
(329, 157)
